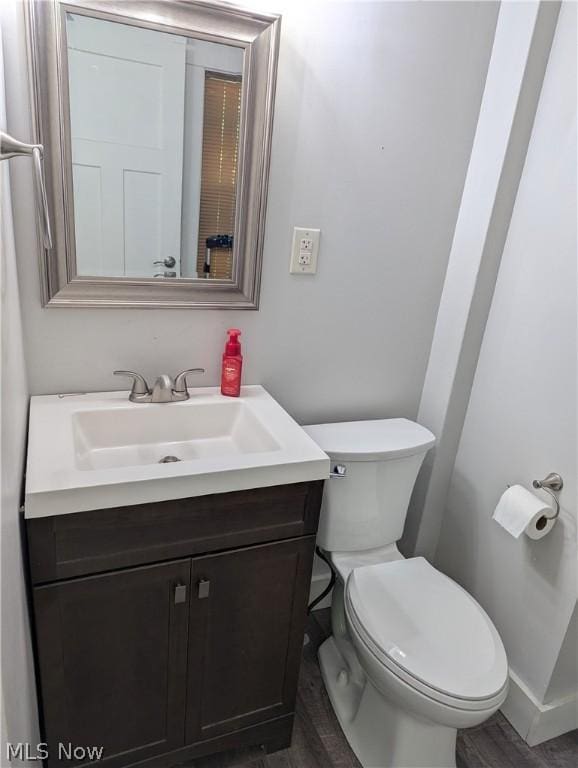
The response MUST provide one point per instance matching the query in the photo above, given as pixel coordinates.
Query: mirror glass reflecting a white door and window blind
(154, 123)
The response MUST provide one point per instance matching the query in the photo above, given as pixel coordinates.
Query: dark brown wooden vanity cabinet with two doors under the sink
(163, 658)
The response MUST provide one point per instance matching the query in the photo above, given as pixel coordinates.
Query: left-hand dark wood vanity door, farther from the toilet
(112, 662)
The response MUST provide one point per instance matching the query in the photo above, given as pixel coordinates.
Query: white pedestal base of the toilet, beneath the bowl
(382, 735)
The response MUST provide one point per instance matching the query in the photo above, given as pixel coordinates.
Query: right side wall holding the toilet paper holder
(521, 419)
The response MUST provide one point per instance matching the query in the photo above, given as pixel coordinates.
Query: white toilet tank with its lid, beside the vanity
(366, 506)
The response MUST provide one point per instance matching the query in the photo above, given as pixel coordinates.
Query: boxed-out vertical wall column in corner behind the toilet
(522, 44)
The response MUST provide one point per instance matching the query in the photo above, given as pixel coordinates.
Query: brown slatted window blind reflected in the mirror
(221, 117)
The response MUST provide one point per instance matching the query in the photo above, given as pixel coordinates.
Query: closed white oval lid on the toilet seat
(430, 627)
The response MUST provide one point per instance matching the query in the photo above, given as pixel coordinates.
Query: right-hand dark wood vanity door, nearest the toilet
(247, 617)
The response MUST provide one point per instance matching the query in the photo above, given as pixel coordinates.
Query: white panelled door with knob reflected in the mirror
(127, 88)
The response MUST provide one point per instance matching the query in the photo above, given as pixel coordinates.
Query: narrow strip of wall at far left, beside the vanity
(17, 693)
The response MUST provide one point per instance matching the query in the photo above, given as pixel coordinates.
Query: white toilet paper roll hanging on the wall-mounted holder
(520, 511)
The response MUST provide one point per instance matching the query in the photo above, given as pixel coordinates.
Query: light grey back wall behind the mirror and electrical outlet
(371, 143)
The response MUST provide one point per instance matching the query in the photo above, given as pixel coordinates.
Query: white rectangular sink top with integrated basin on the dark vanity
(99, 450)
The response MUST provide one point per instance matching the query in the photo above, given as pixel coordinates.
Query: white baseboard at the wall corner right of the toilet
(534, 721)
